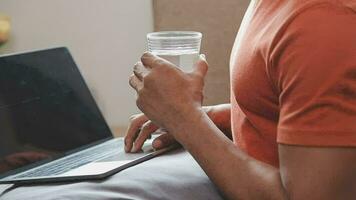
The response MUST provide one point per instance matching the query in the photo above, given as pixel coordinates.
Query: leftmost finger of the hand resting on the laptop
(133, 129)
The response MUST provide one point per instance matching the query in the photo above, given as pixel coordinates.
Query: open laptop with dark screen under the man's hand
(51, 129)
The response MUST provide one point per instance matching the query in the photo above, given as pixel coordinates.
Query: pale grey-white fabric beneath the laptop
(175, 175)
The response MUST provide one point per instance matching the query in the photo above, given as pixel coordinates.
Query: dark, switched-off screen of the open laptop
(45, 108)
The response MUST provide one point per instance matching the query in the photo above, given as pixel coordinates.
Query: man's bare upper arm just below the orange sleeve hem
(318, 173)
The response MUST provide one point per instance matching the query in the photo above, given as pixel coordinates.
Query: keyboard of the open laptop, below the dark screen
(109, 148)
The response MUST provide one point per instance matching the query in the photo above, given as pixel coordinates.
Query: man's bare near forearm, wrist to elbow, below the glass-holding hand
(236, 174)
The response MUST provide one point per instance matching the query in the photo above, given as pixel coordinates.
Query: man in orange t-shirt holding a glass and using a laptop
(293, 105)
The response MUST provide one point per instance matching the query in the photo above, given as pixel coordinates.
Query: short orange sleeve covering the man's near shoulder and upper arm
(314, 70)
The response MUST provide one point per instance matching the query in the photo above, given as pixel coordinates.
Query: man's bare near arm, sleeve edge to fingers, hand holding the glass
(305, 173)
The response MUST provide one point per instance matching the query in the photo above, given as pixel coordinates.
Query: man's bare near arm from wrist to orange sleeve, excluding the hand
(305, 172)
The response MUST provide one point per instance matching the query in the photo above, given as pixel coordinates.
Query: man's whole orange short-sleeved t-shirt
(293, 76)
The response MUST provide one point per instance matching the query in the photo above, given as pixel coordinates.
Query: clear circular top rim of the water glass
(176, 35)
